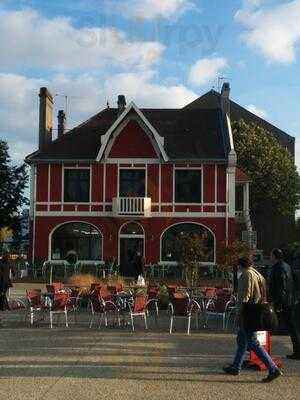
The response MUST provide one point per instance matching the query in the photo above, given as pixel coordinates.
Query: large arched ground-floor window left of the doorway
(80, 237)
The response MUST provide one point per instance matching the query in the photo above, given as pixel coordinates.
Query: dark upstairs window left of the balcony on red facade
(77, 185)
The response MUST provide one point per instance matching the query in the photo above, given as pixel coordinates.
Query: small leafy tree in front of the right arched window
(190, 251)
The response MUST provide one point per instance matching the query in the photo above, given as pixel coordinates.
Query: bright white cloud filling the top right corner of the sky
(274, 32)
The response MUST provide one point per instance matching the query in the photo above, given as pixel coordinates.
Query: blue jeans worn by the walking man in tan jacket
(248, 341)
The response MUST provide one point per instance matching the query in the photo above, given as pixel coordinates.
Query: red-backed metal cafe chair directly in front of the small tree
(183, 307)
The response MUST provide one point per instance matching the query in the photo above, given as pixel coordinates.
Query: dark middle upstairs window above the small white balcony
(132, 183)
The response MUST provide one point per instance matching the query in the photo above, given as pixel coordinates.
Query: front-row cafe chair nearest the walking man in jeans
(221, 306)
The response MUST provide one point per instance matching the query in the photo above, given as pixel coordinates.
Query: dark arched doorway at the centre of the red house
(131, 242)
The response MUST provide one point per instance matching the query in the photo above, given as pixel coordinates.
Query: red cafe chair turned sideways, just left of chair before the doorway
(101, 307)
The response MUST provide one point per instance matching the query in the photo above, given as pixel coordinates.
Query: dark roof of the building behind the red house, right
(211, 99)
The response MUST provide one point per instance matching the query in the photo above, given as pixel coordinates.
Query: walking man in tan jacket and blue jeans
(251, 289)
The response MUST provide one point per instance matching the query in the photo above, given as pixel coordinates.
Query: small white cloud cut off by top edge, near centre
(153, 9)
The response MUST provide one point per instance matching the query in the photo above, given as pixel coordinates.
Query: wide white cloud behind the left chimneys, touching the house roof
(87, 95)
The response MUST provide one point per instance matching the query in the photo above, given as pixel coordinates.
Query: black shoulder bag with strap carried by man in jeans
(259, 316)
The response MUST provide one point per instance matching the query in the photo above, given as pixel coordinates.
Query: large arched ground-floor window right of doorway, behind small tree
(171, 235)
